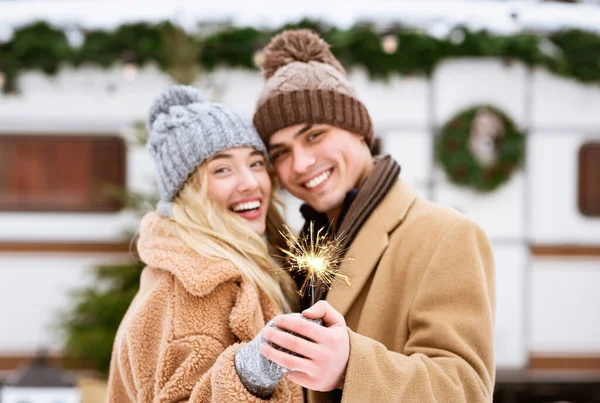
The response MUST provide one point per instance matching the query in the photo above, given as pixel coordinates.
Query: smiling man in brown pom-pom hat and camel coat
(416, 325)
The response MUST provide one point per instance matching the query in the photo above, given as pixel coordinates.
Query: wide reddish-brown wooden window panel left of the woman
(61, 173)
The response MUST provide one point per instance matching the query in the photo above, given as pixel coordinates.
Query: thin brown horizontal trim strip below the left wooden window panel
(65, 247)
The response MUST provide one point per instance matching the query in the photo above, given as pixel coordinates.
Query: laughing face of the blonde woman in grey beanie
(238, 181)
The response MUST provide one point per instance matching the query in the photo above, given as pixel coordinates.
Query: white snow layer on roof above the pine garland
(435, 16)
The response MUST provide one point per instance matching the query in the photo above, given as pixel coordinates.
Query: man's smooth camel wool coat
(420, 309)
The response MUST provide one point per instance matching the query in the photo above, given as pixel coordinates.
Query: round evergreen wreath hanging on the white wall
(480, 148)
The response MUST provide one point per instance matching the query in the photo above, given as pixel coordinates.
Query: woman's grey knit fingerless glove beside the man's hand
(259, 375)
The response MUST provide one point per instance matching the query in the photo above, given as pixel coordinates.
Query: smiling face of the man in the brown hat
(319, 163)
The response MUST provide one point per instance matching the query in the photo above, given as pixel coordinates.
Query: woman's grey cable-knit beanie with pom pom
(184, 130)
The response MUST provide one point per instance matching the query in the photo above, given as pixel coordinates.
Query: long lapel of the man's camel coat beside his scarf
(369, 244)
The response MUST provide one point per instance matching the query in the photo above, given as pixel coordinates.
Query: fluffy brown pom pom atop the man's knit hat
(300, 45)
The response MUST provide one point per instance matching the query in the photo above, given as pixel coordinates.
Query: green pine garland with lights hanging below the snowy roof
(39, 46)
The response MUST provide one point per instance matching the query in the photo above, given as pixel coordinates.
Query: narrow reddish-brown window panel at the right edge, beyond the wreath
(589, 180)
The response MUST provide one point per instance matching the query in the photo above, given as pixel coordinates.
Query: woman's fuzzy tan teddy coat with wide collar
(178, 339)
